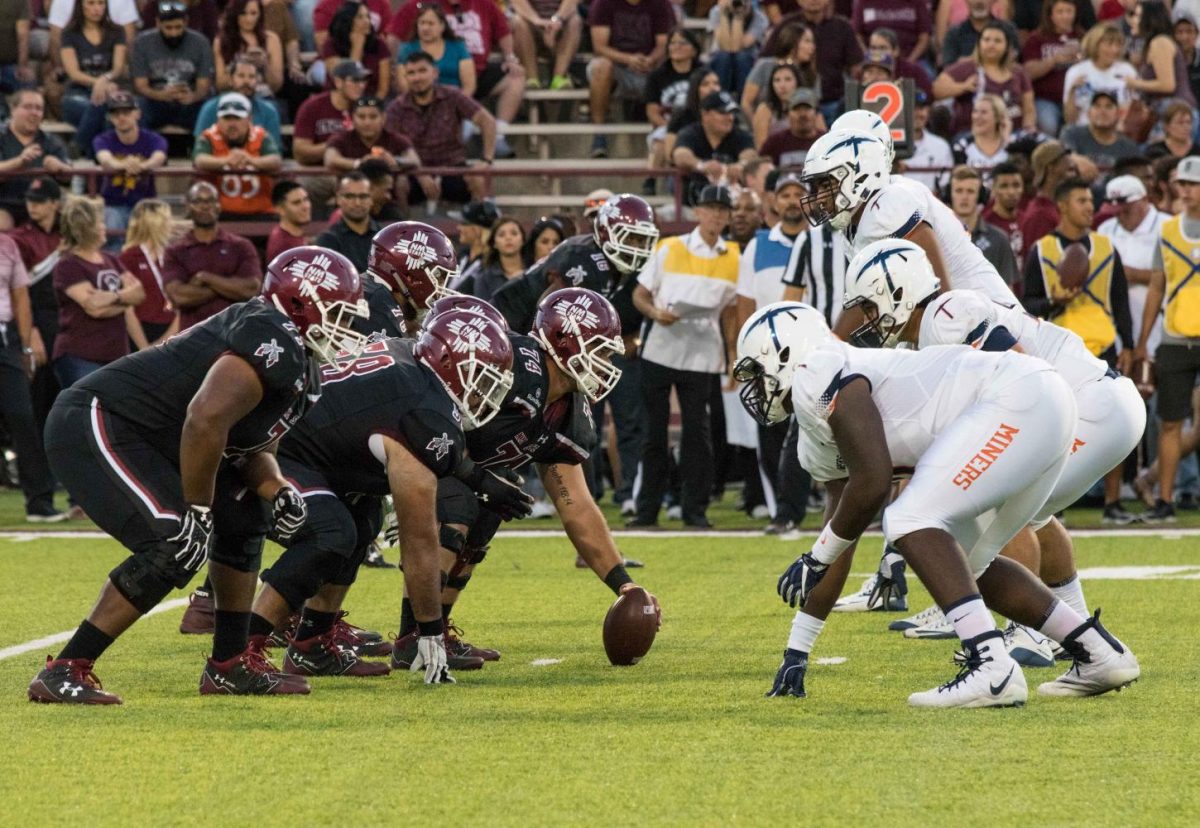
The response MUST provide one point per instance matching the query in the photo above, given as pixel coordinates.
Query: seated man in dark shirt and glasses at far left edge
(26, 146)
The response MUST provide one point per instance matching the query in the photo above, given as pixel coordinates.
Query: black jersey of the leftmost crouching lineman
(153, 388)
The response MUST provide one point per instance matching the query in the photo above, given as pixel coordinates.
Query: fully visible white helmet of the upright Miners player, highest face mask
(842, 171)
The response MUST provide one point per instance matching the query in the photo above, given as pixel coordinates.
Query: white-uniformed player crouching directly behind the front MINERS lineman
(892, 283)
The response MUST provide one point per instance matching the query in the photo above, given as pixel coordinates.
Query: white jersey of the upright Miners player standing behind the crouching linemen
(896, 212)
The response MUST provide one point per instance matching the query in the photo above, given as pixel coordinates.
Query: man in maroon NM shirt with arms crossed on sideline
(209, 269)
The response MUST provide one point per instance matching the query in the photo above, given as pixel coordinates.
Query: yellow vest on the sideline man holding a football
(1090, 314)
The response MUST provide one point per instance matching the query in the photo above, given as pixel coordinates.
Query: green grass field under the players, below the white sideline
(685, 737)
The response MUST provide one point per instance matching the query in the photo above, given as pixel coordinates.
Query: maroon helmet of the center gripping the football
(583, 332)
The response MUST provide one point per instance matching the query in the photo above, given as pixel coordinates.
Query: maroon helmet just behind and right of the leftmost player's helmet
(415, 260)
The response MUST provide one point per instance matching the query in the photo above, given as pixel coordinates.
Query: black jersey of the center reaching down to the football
(527, 429)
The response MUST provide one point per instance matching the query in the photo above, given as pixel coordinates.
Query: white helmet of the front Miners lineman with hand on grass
(771, 345)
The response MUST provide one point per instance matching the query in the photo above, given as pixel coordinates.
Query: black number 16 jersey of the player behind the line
(577, 263)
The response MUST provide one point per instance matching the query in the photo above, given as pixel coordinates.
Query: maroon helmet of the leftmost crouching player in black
(321, 292)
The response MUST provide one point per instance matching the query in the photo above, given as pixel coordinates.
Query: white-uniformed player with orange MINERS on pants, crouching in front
(987, 436)
